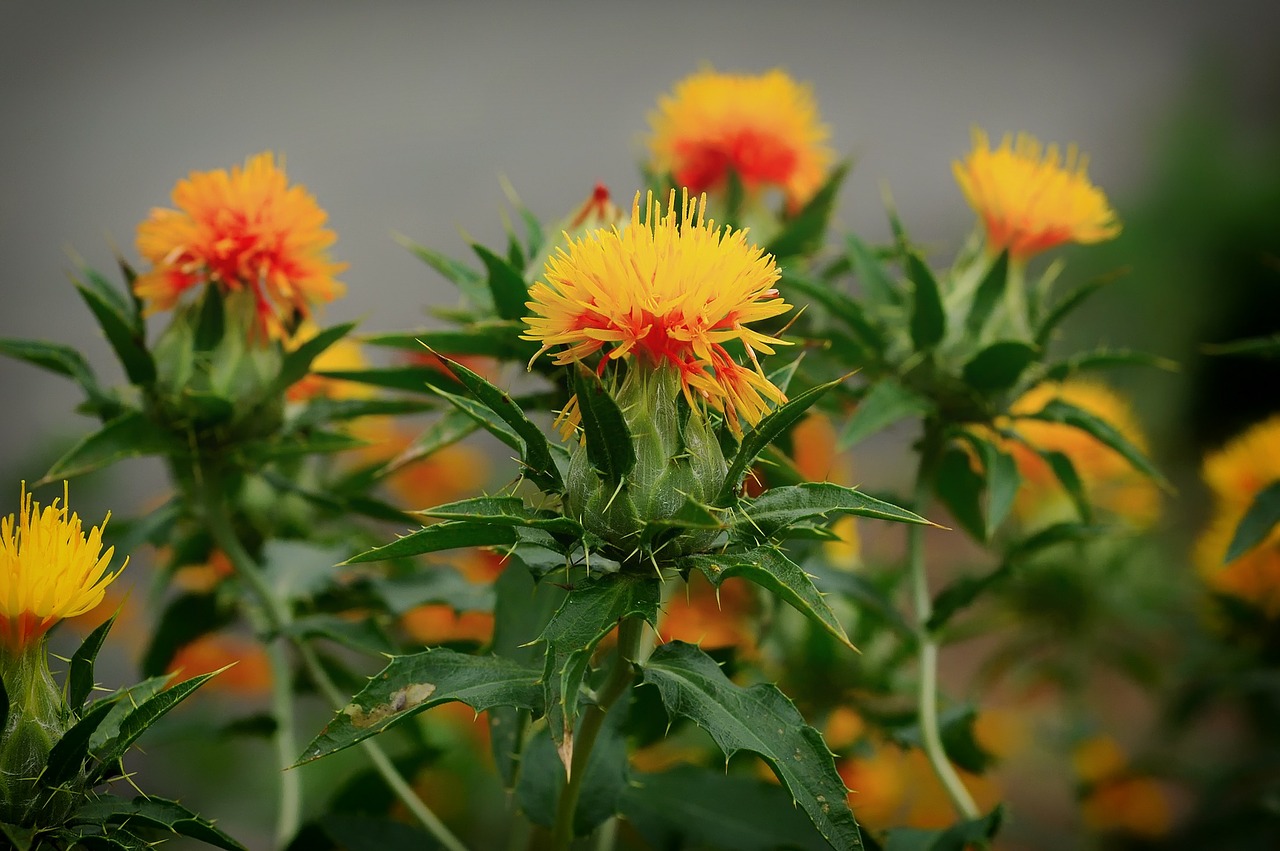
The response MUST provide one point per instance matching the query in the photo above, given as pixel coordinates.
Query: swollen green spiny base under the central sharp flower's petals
(678, 459)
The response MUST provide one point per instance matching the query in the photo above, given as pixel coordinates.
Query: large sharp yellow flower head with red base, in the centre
(669, 292)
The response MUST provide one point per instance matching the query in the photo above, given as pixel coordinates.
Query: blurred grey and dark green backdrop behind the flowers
(406, 118)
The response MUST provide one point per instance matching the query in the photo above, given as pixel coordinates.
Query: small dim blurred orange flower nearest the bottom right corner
(1117, 800)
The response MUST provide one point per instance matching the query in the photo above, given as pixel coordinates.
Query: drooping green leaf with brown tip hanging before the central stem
(589, 614)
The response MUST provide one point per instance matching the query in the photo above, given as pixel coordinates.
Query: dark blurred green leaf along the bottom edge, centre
(692, 807)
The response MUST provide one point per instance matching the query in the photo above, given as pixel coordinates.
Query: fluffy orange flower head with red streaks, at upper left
(244, 231)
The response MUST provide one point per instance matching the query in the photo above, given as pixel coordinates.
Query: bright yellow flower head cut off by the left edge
(49, 570)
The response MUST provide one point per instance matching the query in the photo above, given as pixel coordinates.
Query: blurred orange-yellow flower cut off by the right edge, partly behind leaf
(1236, 475)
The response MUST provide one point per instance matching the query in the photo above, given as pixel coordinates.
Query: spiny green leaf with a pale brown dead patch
(417, 683)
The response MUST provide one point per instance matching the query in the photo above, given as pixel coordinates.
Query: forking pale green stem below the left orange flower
(278, 619)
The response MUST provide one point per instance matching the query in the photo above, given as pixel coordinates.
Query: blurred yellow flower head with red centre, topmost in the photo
(766, 129)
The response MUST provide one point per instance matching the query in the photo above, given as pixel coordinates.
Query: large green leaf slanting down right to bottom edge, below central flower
(760, 720)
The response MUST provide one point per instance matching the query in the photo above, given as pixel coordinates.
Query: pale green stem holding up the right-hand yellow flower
(931, 738)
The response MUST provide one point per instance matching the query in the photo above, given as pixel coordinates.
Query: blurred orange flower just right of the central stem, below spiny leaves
(712, 620)
